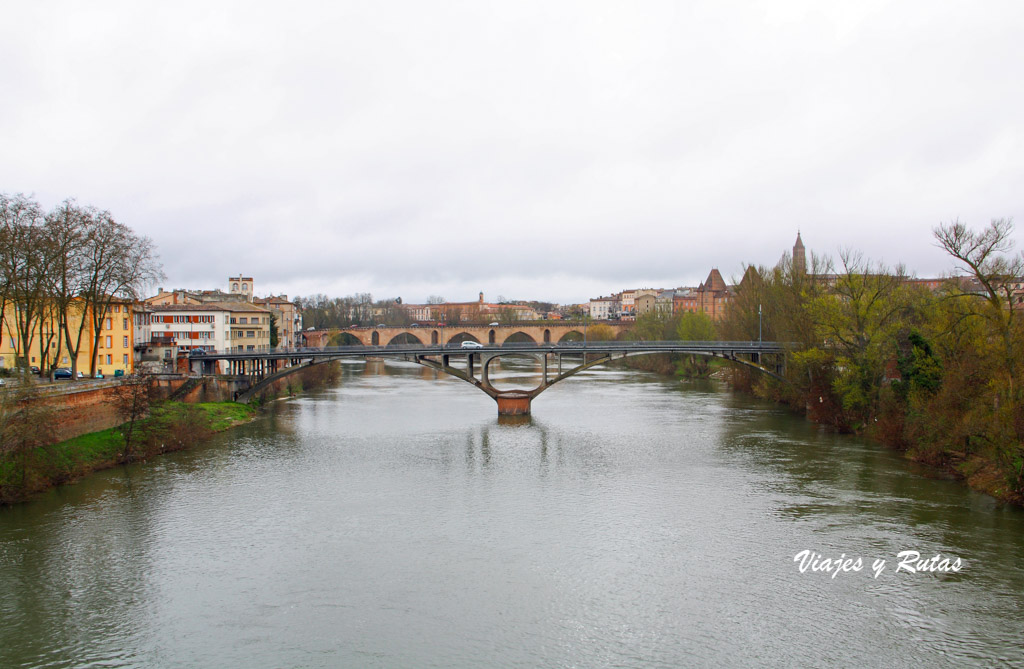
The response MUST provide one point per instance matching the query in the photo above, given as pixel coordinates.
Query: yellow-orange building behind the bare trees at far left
(114, 353)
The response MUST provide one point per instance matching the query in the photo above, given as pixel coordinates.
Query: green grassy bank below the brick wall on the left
(169, 427)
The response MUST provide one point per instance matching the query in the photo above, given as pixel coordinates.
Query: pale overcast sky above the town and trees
(551, 151)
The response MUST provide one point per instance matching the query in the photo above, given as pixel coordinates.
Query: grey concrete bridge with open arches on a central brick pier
(559, 362)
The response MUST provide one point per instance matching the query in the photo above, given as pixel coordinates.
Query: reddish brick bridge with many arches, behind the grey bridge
(548, 332)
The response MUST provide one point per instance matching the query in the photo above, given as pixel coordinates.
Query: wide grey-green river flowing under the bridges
(393, 521)
